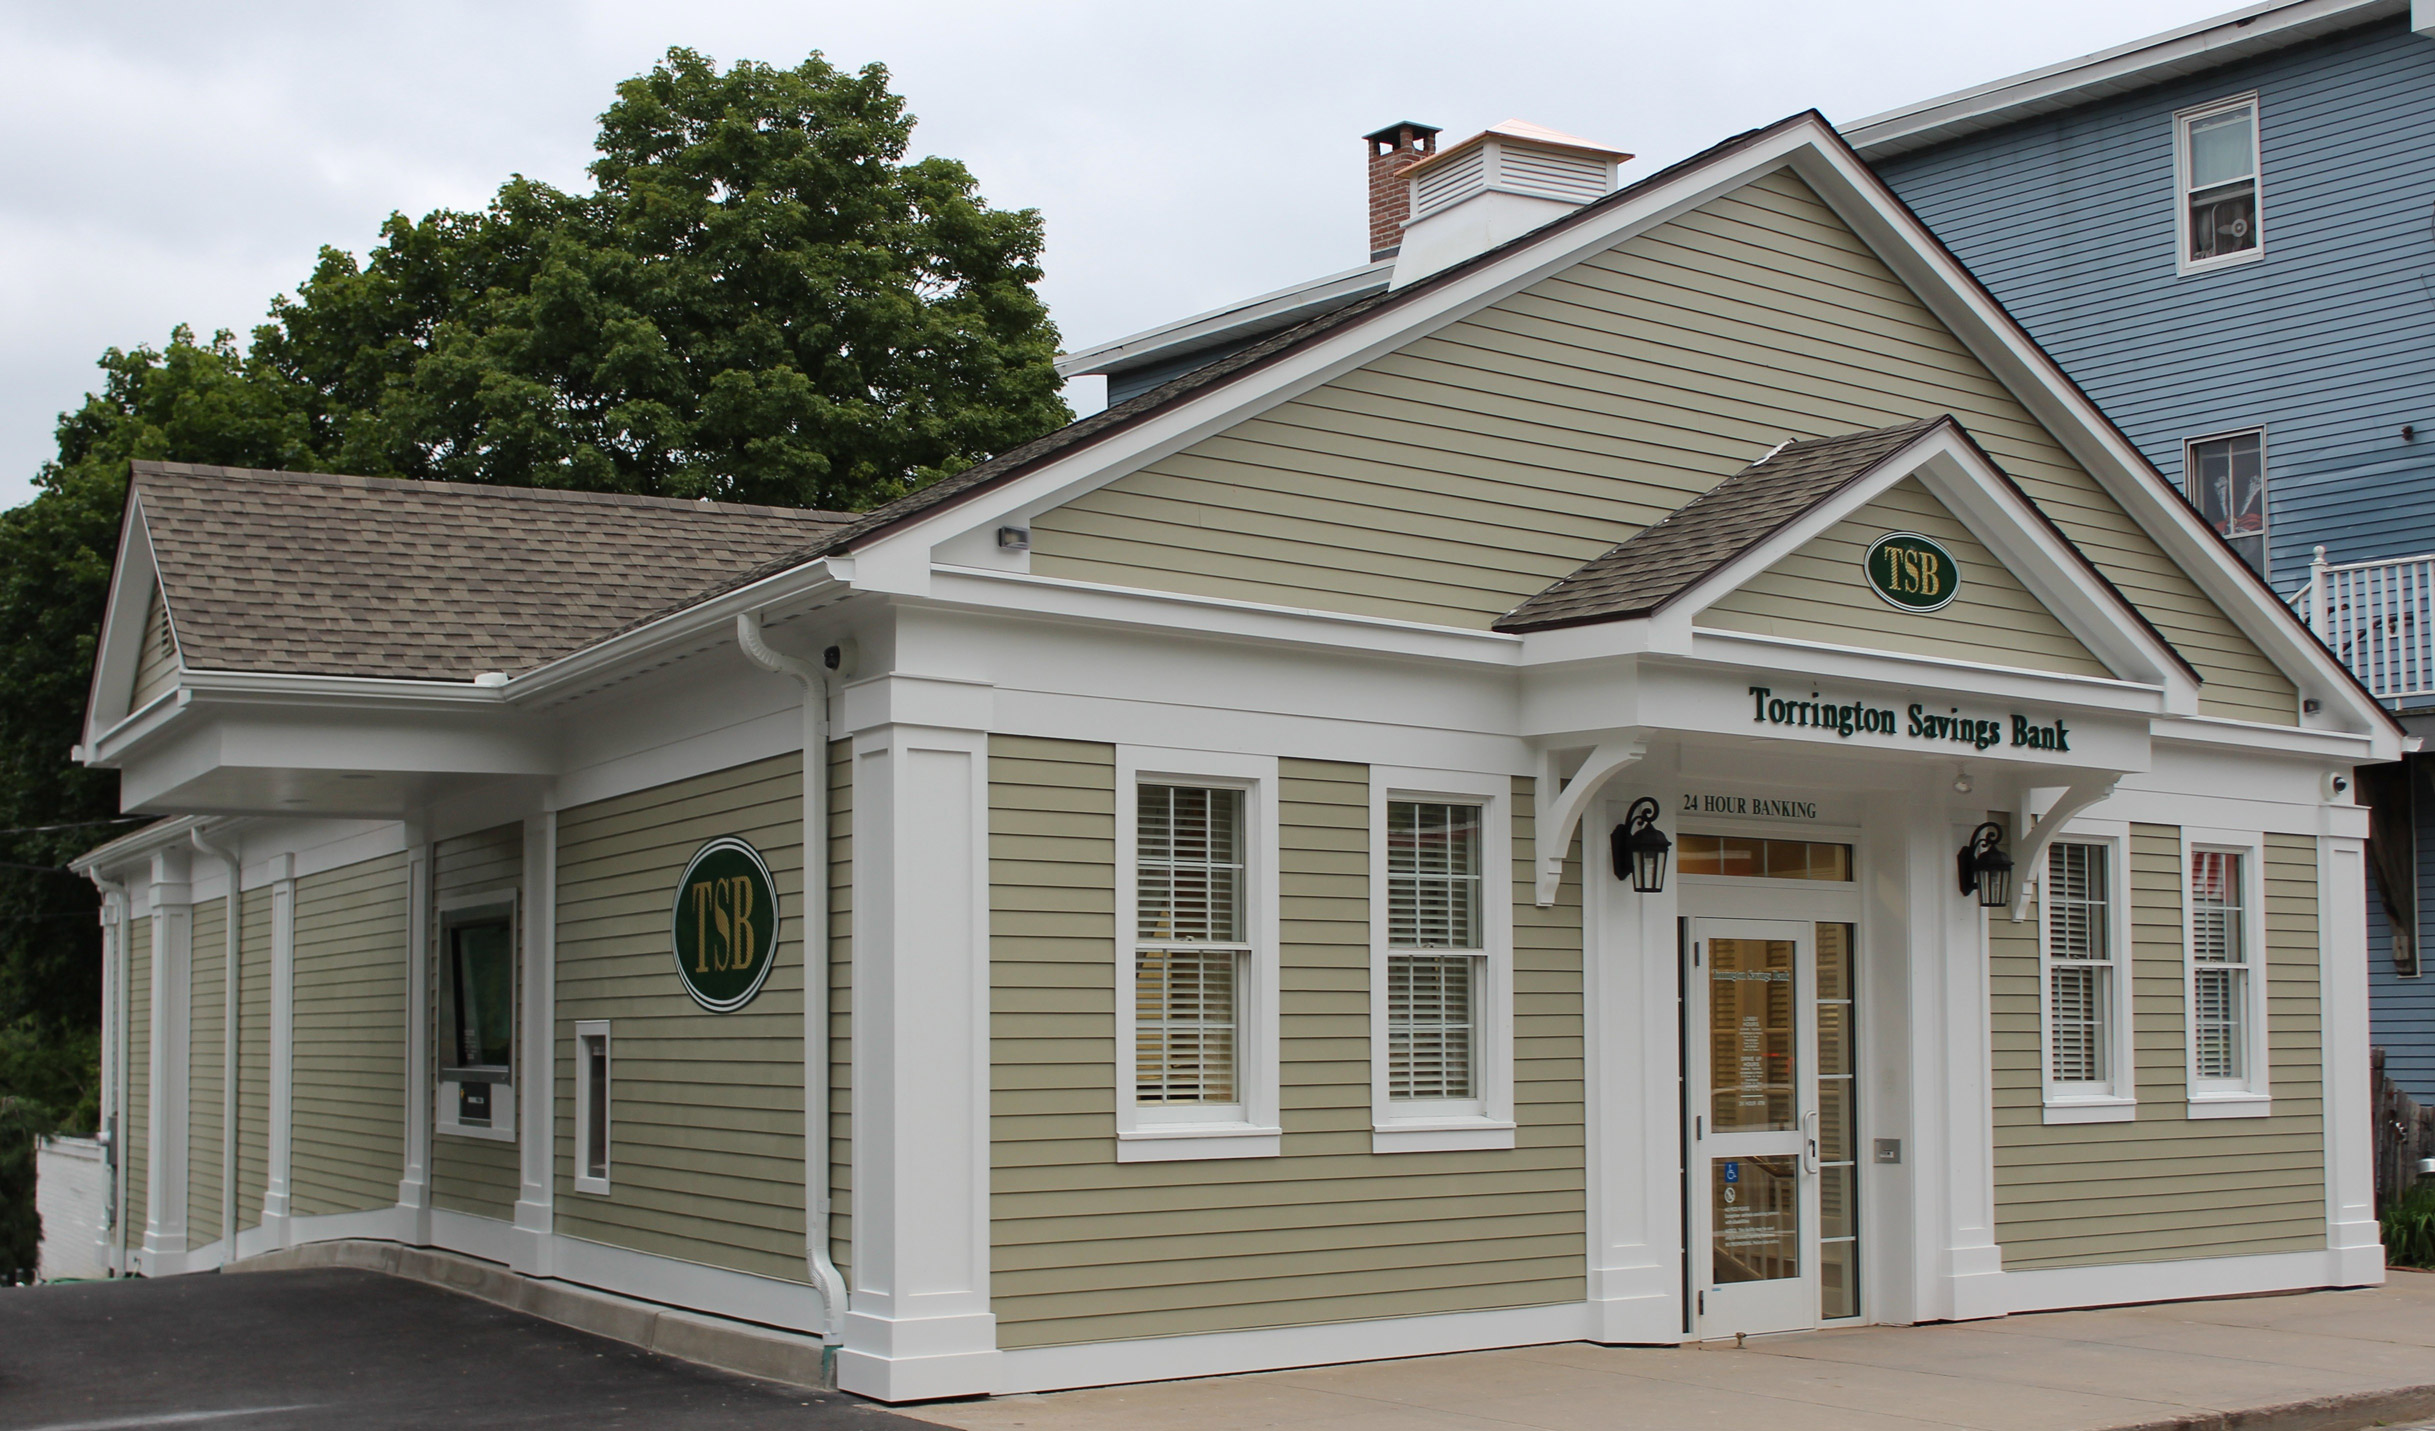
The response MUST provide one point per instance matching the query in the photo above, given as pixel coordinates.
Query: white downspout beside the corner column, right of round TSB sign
(817, 1152)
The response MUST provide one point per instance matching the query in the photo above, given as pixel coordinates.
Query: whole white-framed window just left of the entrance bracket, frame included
(1440, 984)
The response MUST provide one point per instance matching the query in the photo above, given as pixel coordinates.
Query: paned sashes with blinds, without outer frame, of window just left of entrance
(1435, 950)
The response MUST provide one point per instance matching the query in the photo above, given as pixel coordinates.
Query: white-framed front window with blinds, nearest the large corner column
(1197, 989)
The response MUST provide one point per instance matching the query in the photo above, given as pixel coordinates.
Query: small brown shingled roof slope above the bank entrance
(1672, 556)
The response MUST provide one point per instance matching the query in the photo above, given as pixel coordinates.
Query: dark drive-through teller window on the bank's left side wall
(478, 1021)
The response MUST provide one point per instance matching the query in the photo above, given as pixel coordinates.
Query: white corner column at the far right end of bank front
(2351, 1150)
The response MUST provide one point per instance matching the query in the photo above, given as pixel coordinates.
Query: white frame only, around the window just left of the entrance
(1470, 1123)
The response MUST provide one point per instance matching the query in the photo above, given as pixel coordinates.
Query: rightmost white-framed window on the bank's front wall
(2224, 982)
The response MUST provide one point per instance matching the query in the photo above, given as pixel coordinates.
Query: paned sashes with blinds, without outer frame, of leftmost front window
(1189, 945)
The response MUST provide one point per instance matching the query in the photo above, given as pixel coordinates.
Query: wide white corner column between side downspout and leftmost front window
(919, 1320)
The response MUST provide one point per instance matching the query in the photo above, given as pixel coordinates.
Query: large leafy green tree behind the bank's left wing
(761, 301)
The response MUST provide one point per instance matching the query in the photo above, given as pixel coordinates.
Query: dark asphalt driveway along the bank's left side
(332, 1347)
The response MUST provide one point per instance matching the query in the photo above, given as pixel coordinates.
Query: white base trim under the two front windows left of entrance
(1155, 1359)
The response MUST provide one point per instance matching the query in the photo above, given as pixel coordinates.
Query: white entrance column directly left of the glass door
(1635, 1101)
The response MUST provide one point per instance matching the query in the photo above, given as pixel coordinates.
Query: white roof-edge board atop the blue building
(2110, 72)
